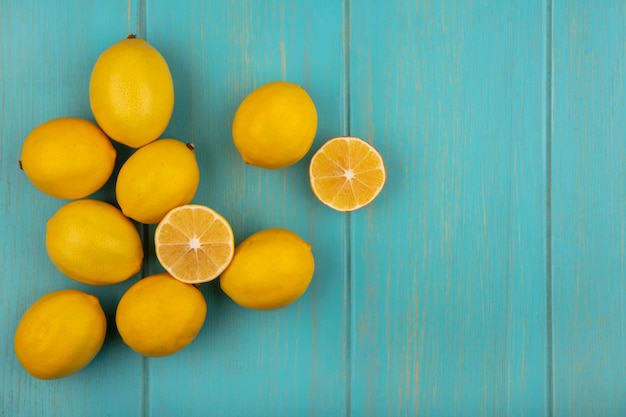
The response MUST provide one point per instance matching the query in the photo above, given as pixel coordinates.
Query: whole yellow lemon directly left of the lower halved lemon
(92, 242)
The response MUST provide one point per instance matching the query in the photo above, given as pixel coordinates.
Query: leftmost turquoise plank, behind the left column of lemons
(46, 55)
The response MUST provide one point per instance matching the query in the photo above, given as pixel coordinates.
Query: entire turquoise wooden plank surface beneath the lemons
(487, 279)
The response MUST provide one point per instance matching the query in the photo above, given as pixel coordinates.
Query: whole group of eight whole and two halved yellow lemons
(97, 243)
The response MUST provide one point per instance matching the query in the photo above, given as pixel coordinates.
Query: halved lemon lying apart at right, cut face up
(347, 173)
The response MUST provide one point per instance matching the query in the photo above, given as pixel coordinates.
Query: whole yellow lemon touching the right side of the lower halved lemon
(270, 269)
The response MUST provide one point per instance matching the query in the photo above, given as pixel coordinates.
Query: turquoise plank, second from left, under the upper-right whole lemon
(285, 362)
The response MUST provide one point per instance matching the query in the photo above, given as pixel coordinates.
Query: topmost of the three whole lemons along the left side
(68, 157)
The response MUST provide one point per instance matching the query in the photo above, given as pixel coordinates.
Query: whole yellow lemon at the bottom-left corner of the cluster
(60, 334)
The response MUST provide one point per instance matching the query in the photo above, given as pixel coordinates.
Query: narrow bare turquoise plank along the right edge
(588, 206)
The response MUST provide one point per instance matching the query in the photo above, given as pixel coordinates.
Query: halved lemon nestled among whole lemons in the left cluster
(194, 243)
